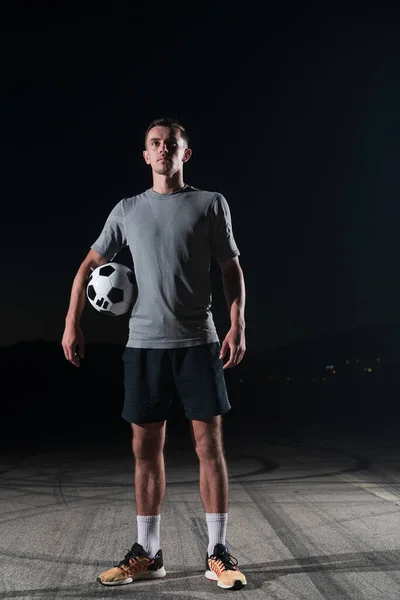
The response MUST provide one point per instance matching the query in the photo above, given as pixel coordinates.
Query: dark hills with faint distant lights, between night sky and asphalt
(350, 387)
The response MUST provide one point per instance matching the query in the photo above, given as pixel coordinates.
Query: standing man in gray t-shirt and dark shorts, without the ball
(172, 230)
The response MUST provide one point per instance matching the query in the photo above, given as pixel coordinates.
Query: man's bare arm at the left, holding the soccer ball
(73, 341)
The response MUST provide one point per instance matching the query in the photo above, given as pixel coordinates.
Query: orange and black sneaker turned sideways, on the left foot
(135, 565)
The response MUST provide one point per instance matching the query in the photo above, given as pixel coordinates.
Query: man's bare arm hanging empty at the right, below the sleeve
(235, 295)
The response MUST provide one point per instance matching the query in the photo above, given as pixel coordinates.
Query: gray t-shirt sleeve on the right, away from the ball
(223, 245)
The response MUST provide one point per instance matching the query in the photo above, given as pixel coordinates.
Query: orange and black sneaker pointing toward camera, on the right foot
(222, 567)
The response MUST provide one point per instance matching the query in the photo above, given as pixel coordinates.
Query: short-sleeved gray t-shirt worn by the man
(172, 238)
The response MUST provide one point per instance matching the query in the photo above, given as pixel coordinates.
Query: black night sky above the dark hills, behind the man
(293, 115)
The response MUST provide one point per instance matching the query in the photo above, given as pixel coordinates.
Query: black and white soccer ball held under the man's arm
(110, 289)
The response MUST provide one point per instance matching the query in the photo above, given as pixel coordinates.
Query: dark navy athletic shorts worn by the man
(153, 377)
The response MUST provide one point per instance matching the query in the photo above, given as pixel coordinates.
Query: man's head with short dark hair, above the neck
(166, 150)
